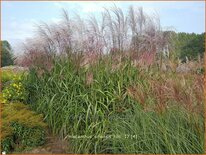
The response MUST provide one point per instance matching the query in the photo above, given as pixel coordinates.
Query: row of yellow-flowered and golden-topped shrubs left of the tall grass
(22, 128)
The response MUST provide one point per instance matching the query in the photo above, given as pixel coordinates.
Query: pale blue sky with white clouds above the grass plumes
(19, 19)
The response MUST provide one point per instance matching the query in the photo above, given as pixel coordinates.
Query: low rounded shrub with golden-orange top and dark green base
(21, 127)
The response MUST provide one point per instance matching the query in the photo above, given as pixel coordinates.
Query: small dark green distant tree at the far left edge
(7, 55)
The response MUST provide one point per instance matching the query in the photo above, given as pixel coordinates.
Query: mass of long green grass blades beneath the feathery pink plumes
(107, 99)
